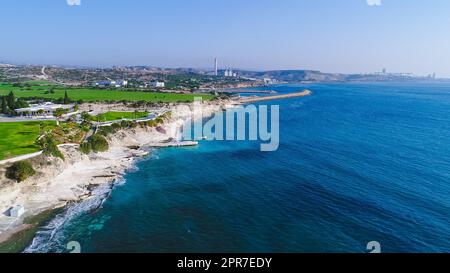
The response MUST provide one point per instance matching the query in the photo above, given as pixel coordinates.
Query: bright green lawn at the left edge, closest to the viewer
(17, 138)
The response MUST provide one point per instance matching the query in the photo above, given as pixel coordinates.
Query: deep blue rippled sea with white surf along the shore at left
(356, 163)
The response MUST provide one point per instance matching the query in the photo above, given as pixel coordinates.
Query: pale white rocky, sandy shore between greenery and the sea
(58, 182)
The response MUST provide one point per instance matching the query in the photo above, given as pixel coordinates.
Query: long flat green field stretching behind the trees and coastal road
(89, 95)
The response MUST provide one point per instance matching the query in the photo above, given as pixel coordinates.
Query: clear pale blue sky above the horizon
(329, 35)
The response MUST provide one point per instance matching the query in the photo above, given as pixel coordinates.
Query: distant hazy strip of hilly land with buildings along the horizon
(191, 77)
